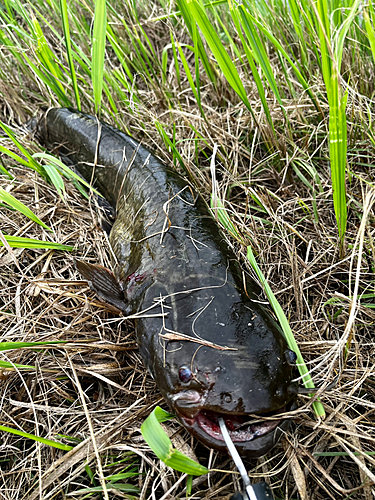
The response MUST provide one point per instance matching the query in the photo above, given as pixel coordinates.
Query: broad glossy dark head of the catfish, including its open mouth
(249, 384)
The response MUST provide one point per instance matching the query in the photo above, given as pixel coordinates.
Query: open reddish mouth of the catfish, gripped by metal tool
(252, 436)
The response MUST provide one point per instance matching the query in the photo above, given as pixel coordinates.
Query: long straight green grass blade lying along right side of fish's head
(292, 344)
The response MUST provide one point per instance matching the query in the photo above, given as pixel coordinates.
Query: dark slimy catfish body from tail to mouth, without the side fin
(177, 272)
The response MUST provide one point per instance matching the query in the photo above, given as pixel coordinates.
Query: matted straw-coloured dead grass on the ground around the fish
(94, 393)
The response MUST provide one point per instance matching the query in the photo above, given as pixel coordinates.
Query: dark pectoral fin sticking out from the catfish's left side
(102, 281)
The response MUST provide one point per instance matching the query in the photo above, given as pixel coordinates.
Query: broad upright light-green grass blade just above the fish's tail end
(98, 51)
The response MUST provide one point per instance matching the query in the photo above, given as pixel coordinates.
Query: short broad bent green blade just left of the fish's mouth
(161, 445)
